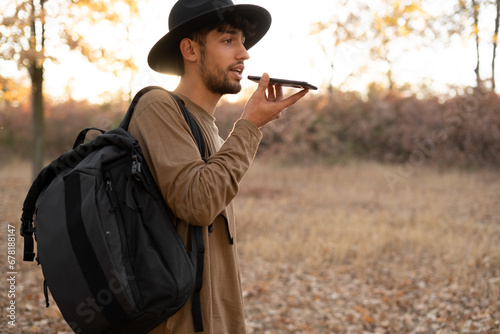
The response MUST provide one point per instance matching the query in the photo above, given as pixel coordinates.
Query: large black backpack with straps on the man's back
(109, 251)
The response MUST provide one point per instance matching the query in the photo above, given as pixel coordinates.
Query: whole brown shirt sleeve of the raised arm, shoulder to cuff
(195, 191)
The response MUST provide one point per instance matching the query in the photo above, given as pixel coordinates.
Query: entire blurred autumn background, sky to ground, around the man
(373, 204)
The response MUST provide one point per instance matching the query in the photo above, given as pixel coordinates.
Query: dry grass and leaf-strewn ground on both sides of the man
(336, 249)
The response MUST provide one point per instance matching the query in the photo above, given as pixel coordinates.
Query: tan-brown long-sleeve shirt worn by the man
(200, 193)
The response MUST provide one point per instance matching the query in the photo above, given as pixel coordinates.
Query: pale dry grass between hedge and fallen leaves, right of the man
(443, 226)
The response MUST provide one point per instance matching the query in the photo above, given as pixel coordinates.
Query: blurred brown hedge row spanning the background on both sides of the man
(386, 127)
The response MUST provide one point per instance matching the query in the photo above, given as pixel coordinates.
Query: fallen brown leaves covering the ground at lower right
(285, 298)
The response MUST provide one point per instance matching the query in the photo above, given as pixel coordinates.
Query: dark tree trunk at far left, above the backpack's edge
(36, 73)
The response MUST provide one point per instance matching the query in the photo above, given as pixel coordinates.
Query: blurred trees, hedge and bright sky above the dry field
(391, 74)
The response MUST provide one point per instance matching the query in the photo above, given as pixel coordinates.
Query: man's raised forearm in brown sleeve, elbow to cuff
(201, 192)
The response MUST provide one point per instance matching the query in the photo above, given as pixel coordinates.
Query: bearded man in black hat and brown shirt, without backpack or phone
(207, 46)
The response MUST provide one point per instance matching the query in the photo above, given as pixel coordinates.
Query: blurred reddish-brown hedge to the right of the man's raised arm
(387, 127)
